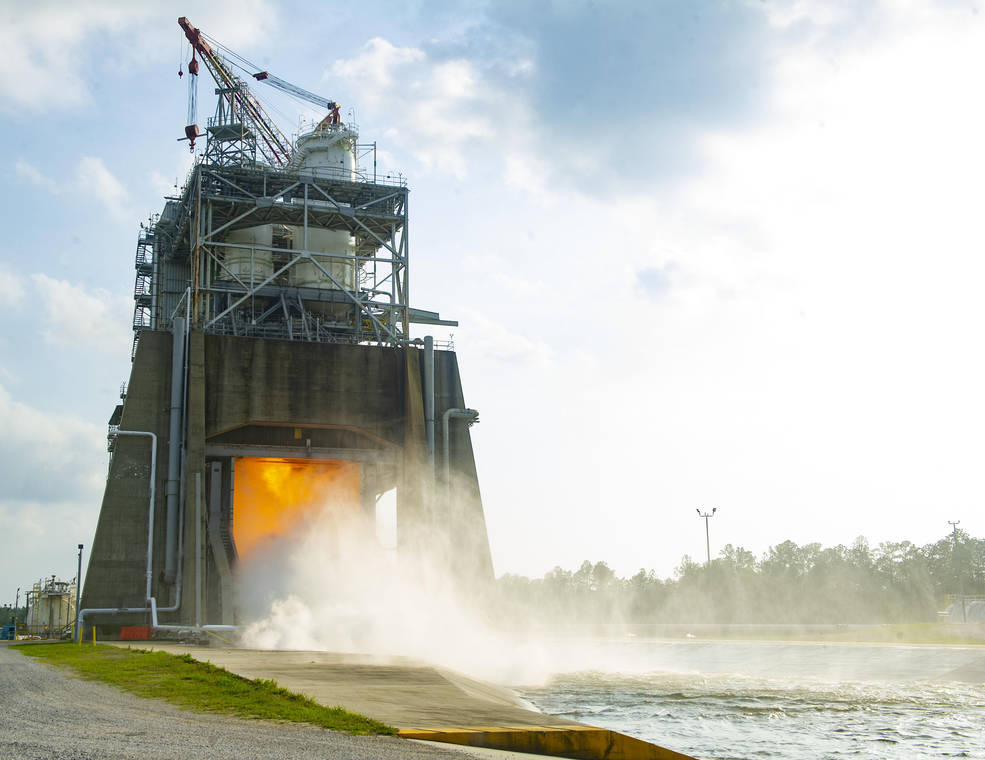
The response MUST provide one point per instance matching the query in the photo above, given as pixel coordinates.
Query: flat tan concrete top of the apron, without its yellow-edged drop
(398, 691)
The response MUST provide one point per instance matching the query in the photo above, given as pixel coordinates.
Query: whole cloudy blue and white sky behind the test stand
(703, 253)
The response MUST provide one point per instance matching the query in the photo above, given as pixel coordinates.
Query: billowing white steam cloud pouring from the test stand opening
(326, 583)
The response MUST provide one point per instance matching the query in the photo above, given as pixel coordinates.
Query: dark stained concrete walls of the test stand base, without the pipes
(248, 390)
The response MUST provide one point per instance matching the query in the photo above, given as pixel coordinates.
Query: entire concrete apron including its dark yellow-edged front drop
(425, 702)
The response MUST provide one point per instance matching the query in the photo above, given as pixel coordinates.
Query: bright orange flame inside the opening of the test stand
(273, 498)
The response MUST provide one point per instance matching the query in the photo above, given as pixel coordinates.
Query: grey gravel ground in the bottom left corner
(46, 714)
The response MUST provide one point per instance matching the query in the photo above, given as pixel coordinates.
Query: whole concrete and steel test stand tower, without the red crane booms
(272, 323)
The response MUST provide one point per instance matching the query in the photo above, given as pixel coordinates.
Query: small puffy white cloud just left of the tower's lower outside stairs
(80, 319)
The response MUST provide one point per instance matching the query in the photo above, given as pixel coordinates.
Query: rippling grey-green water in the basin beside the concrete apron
(766, 700)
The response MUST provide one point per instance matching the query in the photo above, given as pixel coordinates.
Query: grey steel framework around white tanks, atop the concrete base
(184, 249)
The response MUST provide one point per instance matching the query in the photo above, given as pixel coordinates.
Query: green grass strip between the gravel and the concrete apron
(193, 685)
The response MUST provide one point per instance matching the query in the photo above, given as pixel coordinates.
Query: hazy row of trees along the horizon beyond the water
(895, 582)
